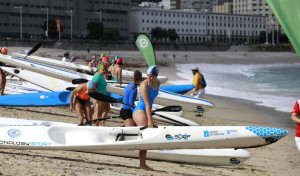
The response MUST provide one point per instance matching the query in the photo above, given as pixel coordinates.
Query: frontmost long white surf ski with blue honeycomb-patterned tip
(89, 138)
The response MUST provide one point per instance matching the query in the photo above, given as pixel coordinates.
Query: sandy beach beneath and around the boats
(280, 158)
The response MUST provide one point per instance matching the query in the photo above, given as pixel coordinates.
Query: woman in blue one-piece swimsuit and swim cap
(142, 114)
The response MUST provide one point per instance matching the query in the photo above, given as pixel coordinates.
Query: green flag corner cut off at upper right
(287, 13)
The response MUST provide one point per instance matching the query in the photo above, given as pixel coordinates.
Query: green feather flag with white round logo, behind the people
(145, 46)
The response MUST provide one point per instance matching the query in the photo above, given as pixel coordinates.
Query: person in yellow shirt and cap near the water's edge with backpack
(198, 91)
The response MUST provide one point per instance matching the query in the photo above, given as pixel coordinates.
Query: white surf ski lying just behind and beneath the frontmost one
(221, 157)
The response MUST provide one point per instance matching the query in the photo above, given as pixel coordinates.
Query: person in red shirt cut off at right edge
(296, 118)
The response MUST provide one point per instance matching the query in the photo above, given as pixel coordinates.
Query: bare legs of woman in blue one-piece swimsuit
(140, 119)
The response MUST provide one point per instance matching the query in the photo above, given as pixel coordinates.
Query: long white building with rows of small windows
(197, 26)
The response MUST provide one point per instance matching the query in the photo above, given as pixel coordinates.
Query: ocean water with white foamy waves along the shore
(270, 85)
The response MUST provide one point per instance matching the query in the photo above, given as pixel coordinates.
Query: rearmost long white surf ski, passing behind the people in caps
(126, 74)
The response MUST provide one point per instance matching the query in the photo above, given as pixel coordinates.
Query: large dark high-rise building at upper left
(112, 13)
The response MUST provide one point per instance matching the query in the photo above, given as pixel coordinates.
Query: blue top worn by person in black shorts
(129, 96)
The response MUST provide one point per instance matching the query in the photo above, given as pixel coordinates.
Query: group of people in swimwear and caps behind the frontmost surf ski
(141, 115)
